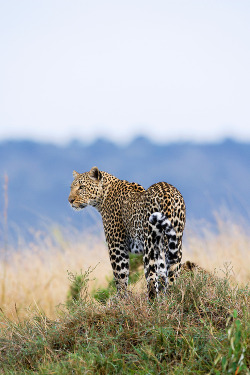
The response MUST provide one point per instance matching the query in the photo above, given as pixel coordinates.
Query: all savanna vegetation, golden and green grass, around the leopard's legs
(60, 313)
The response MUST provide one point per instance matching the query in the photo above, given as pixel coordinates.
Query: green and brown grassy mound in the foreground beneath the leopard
(200, 327)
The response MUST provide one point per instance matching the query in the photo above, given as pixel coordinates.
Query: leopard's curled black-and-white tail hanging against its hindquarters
(162, 224)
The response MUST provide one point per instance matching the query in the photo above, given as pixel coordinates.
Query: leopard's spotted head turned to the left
(86, 189)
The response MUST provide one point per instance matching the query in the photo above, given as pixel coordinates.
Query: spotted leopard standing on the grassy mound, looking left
(136, 220)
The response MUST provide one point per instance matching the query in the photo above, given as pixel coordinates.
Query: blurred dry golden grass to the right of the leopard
(226, 250)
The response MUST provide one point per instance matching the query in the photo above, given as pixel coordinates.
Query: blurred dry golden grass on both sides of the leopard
(36, 274)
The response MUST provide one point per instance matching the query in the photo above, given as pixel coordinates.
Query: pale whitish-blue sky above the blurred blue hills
(170, 70)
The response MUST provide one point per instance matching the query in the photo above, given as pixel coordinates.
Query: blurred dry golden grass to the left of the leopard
(37, 274)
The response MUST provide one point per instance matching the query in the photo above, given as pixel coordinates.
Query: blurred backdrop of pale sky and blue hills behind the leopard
(146, 90)
